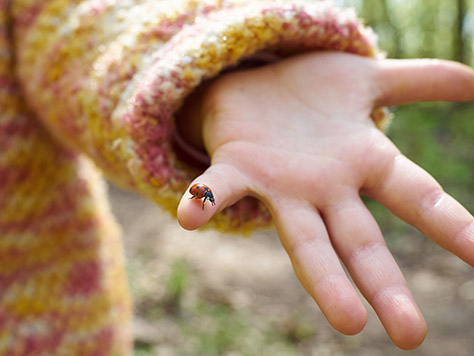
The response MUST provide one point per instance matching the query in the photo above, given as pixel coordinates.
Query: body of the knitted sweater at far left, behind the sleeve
(63, 287)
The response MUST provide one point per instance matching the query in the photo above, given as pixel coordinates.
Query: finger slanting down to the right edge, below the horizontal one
(417, 198)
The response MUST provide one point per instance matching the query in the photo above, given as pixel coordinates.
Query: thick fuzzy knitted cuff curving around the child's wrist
(201, 51)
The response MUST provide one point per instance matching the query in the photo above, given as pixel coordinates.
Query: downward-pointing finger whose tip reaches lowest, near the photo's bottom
(359, 242)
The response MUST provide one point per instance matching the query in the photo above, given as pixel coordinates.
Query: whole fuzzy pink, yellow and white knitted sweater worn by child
(89, 87)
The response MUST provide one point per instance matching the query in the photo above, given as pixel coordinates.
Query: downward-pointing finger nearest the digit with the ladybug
(317, 266)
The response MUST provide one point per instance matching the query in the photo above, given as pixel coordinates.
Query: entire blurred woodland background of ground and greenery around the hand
(203, 294)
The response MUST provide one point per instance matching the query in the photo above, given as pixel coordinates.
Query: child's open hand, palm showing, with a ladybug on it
(298, 135)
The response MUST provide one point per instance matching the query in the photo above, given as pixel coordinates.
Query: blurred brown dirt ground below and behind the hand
(254, 275)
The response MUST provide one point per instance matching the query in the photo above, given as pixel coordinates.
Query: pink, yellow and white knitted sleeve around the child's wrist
(106, 77)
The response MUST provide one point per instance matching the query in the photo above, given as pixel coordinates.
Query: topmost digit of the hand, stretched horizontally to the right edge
(412, 80)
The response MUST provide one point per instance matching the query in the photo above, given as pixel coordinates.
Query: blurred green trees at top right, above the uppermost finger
(421, 28)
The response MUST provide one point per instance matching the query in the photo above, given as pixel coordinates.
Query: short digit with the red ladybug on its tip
(226, 185)
